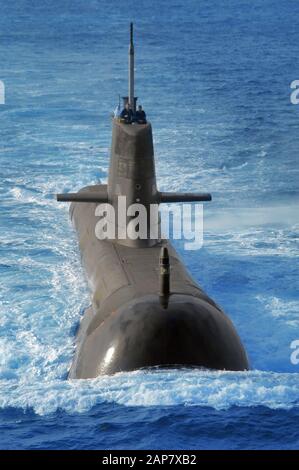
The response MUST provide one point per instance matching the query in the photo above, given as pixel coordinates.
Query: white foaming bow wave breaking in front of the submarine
(158, 388)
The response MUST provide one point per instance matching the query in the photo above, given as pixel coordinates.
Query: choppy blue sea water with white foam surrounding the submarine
(214, 78)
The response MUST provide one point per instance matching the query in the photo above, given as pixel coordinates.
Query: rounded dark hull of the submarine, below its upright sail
(127, 328)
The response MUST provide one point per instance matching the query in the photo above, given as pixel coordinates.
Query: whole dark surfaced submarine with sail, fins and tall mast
(146, 309)
